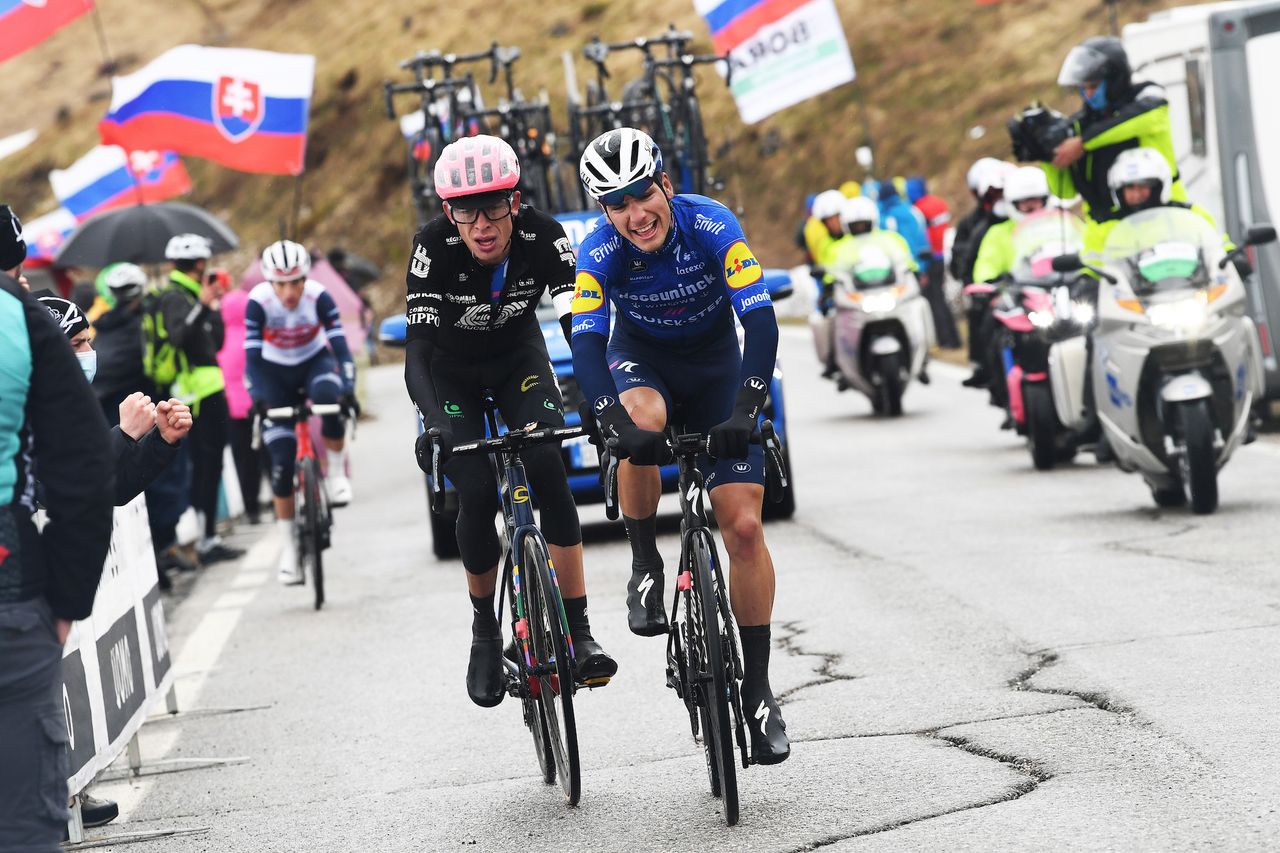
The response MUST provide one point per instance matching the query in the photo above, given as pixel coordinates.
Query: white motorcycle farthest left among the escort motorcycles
(883, 329)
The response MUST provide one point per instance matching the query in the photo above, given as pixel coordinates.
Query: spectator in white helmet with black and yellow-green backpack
(185, 334)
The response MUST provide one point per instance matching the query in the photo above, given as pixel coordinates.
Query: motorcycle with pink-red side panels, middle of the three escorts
(1045, 316)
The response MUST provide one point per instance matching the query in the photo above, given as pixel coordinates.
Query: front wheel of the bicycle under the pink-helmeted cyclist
(554, 663)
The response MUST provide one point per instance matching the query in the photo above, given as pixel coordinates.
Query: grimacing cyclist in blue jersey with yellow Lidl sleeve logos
(679, 271)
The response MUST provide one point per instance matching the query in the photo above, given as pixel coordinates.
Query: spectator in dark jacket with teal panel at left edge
(49, 422)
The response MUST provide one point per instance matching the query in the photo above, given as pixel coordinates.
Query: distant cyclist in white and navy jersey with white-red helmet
(292, 337)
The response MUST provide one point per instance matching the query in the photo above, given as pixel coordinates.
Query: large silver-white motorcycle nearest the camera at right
(1178, 363)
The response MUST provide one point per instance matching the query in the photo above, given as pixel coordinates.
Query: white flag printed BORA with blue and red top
(783, 52)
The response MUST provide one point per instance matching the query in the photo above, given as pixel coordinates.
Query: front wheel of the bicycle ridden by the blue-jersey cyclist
(716, 679)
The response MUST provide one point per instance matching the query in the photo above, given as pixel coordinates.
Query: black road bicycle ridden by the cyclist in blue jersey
(705, 667)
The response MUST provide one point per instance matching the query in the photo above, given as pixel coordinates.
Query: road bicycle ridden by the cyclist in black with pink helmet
(540, 664)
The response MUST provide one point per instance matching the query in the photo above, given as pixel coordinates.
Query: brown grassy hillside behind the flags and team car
(930, 71)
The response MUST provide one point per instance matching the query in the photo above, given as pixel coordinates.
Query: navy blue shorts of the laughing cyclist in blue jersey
(700, 385)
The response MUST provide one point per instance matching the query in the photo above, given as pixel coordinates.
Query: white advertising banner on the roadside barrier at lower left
(117, 662)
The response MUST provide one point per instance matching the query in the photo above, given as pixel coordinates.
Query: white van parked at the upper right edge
(1220, 66)
